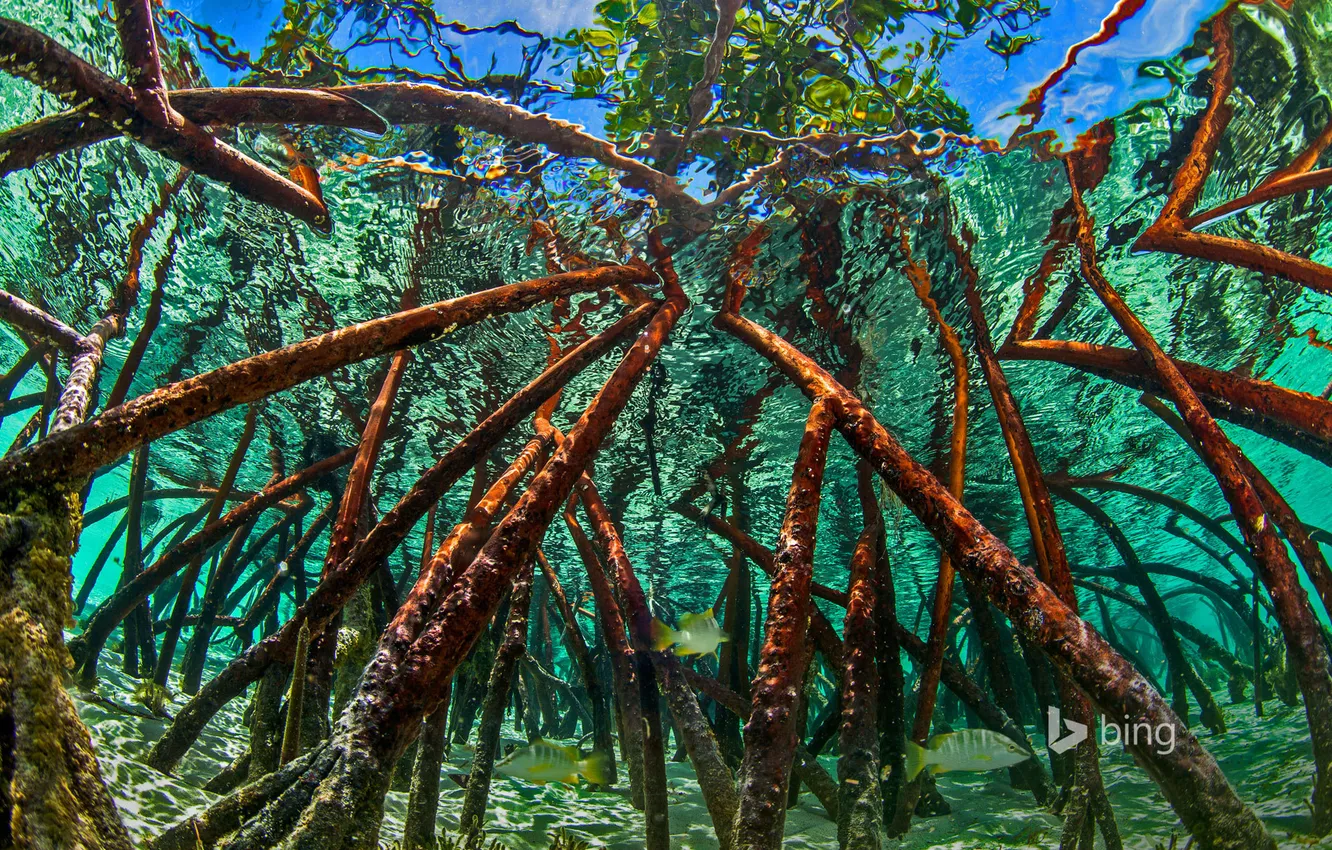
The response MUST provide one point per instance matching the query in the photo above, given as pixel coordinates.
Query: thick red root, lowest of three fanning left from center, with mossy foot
(424, 645)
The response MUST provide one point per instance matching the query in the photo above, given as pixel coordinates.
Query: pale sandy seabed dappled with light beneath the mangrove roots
(1269, 761)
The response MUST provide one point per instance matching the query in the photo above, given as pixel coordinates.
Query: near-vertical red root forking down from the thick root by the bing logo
(771, 735)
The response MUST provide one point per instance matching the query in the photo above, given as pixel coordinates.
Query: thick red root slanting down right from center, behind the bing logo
(1189, 777)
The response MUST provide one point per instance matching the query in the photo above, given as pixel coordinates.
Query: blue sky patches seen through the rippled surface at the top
(1105, 82)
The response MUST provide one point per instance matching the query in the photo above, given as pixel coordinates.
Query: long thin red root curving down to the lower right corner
(1303, 635)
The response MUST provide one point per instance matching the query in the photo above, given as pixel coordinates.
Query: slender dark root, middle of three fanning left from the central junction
(334, 594)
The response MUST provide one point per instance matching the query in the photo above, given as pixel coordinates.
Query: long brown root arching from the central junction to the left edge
(82, 450)
